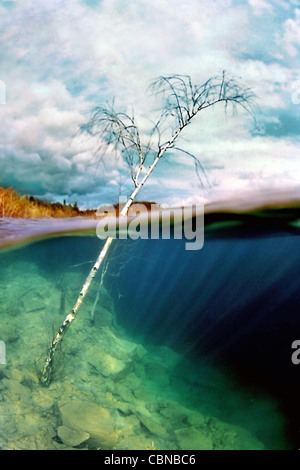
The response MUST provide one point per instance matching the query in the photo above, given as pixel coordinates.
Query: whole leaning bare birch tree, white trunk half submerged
(181, 102)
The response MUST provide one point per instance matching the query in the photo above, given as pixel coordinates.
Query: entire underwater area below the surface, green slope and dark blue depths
(180, 350)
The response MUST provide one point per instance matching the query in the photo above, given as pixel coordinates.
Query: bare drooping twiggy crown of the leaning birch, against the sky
(181, 102)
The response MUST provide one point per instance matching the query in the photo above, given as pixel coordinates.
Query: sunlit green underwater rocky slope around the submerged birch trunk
(111, 391)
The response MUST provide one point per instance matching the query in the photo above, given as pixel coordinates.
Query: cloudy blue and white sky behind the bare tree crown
(61, 57)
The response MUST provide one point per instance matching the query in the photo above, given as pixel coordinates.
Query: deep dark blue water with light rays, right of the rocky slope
(236, 303)
